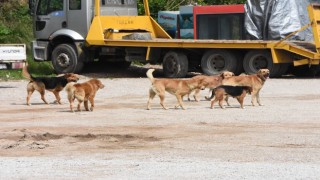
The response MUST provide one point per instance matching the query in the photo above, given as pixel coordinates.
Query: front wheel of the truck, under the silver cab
(65, 60)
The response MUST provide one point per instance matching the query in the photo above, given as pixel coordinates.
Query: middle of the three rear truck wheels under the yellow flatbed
(216, 61)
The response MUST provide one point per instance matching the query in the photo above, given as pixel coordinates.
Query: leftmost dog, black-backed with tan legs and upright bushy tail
(53, 84)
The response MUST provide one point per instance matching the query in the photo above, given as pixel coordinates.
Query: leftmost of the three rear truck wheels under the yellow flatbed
(175, 65)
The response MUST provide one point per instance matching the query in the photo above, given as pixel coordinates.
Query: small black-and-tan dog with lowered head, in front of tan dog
(238, 92)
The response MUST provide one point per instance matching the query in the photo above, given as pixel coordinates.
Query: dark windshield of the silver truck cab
(46, 7)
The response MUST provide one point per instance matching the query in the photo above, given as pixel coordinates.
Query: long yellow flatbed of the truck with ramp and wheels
(124, 38)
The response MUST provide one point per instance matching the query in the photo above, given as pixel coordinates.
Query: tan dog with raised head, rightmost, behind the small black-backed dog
(256, 81)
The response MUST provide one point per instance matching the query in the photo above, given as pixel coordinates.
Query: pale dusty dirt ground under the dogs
(120, 139)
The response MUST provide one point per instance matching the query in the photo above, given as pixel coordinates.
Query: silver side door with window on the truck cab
(79, 16)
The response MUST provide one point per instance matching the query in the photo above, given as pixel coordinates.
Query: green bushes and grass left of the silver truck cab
(16, 27)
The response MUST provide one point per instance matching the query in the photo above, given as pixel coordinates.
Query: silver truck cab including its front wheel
(61, 28)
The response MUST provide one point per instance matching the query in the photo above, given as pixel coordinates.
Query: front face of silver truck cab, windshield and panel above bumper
(49, 17)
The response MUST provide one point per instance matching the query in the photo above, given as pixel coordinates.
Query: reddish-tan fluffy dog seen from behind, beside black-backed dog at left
(83, 92)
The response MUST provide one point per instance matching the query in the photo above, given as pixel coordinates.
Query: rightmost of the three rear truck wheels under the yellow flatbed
(260, 59)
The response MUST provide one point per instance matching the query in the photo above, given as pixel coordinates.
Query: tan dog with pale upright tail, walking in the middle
(177, 87)
